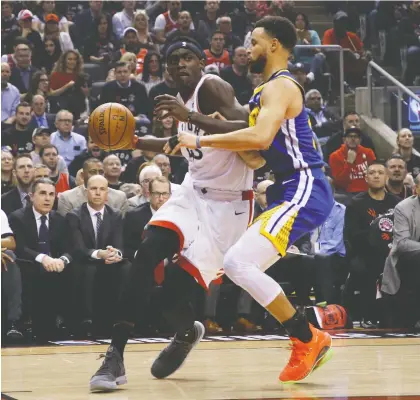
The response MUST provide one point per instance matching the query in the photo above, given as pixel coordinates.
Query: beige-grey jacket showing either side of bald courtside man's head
(74, 198)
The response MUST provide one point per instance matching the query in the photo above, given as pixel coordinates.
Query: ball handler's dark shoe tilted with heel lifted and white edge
(173, 356)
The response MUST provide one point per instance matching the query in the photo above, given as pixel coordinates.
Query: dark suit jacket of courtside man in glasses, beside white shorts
(134, 224)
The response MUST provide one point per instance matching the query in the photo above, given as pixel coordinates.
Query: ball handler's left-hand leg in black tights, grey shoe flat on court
(159, 243)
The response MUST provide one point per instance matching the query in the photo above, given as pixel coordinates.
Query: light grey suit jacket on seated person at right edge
(406, 240)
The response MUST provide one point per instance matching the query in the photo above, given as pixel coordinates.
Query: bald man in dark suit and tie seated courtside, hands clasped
(97, 243)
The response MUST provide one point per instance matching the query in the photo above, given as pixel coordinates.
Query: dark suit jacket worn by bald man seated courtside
(82, 235)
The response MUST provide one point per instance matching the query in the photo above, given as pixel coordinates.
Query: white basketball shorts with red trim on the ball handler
(206, 227)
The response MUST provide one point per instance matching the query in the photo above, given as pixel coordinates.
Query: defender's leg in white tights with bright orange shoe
(245, 264)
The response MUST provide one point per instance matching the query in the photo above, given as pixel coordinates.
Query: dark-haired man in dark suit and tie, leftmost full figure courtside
(41, 240)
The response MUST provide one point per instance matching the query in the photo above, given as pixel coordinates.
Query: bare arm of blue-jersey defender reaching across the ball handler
(281, 99)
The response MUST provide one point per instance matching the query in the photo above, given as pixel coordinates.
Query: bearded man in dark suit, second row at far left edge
(19, 197)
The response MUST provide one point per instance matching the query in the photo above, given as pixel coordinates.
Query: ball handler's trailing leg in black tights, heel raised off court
(179, 292)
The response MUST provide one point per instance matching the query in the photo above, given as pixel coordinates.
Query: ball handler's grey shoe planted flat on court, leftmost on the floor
(110, 374)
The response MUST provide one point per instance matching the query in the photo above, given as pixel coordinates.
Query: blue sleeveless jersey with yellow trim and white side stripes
(293, 147)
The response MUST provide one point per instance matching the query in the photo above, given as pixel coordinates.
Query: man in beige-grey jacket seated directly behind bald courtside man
(74, 198)
